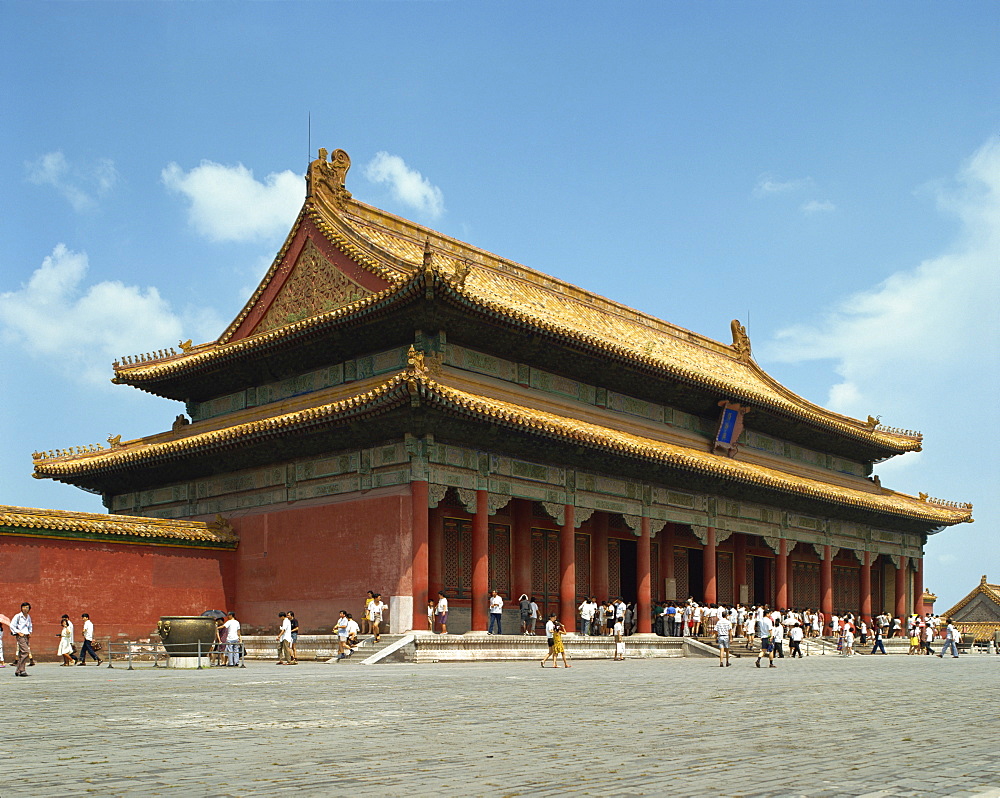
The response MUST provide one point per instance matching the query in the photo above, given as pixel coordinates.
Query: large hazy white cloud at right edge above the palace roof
(925, 331)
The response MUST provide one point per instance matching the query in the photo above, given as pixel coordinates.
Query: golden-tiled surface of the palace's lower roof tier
(417, 380)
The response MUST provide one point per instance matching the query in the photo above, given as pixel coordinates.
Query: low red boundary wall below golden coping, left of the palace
(125, 588)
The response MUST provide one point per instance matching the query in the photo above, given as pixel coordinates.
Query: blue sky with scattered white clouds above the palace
(828, 173)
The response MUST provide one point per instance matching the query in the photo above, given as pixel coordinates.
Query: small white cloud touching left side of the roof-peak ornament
(229, 204)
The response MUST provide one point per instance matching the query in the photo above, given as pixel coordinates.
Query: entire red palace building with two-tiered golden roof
(400, 411)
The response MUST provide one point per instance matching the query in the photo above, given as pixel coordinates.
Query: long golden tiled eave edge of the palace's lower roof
(399, 389)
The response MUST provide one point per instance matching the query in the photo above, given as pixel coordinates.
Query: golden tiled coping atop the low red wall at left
(129, 529)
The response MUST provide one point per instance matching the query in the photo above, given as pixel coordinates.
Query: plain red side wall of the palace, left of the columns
(321, 559)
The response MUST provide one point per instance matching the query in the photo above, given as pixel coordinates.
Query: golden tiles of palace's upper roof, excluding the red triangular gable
(404, 254)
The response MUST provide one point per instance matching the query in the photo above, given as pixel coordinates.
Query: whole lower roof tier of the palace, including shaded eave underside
(438, 390)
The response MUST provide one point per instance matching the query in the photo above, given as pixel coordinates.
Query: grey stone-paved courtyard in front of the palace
(822, 726)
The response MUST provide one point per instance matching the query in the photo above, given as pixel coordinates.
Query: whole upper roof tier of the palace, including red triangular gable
(345, 263)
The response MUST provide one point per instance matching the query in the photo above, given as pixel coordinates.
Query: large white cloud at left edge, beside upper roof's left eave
(84, 328)
